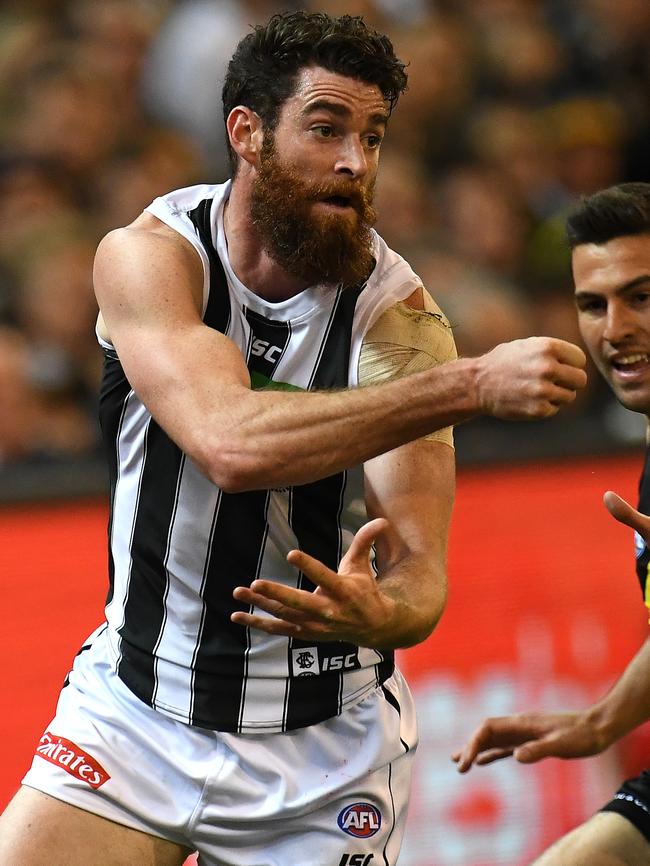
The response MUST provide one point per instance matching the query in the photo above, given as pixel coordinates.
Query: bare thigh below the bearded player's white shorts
(38, 830)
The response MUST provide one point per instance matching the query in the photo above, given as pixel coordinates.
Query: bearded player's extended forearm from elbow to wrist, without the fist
(273, 438)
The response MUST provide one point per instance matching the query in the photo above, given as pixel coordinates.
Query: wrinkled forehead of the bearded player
(315, 84)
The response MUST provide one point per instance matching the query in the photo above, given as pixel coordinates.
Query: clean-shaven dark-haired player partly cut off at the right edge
(610, 237)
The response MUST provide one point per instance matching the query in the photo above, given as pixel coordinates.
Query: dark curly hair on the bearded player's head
(263, 70)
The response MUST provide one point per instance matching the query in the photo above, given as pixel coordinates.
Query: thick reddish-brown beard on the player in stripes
(317, 248)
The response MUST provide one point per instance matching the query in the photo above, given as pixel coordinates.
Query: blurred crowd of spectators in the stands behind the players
(514, 109)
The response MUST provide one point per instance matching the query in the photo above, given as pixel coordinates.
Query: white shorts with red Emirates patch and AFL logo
(332, 794)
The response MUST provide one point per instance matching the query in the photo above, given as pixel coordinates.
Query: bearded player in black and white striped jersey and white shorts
(241, 698)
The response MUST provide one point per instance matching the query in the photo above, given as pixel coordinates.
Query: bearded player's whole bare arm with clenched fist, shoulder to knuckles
(195, 382)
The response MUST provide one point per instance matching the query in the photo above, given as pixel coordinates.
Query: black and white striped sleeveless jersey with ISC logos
(178, 545)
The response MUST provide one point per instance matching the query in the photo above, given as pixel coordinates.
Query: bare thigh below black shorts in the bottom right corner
(607, 839)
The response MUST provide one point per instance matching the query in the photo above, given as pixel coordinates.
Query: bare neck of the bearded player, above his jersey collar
(249, 260)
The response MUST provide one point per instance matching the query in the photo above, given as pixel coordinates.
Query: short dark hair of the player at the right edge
(615, 212)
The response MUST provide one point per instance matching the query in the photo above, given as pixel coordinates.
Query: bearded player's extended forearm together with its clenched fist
(269, 439)
